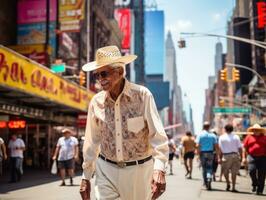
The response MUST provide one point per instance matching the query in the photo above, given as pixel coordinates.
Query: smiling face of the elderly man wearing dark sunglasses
(108, 77)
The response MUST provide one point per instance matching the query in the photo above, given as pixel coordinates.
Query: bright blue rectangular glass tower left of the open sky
(154, 42)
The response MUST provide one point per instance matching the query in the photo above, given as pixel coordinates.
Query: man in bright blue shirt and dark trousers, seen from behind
(206, 143)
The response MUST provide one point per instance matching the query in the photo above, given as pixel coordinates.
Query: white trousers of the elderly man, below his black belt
(129, 183)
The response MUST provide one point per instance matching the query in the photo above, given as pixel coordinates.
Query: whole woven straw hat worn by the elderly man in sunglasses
(106, 56)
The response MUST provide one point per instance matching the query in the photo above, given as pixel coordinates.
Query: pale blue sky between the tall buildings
(196, 62)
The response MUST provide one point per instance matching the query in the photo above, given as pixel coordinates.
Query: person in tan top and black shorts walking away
(189, 147)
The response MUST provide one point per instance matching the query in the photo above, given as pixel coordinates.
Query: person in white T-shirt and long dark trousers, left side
(16, 147)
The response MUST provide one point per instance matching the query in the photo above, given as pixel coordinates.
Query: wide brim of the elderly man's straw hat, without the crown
(93, 65)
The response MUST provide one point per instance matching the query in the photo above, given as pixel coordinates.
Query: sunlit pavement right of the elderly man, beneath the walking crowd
(178, 187)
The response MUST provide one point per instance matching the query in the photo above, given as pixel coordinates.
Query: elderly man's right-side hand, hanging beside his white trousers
(158, 184)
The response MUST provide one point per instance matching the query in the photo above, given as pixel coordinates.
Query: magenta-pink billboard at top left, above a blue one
(34, 11)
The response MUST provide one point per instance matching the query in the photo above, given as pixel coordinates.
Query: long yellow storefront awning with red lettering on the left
(24, 82)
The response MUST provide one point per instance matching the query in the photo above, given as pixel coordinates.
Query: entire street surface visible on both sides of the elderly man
(43, 186)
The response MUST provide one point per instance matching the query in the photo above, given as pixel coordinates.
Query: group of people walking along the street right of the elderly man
(230, 152)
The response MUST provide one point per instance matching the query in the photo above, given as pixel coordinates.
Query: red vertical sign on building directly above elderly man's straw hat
(123, 17)
